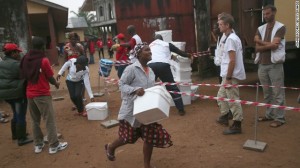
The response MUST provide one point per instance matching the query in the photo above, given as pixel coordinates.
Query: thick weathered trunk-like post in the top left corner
(14, 22)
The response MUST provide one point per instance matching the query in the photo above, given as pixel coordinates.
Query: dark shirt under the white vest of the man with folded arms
(266, 55)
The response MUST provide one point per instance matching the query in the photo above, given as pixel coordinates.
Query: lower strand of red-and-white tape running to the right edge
(238, 101)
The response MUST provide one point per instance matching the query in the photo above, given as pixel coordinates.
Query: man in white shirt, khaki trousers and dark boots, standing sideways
(232, 70)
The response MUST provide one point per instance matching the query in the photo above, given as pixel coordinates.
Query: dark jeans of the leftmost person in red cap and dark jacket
(19, 108)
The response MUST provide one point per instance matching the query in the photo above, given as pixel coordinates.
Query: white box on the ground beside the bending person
(96, 110)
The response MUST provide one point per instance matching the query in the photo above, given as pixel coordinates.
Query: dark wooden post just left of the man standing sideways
(202, 9)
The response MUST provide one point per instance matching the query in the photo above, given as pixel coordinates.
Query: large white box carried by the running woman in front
(153, 106)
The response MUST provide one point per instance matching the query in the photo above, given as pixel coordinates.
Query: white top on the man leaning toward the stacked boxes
(160, 51)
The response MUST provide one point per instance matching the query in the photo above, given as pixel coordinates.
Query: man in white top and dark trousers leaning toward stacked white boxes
(160, 64)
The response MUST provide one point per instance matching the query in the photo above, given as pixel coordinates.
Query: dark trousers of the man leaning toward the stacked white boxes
(164, 73)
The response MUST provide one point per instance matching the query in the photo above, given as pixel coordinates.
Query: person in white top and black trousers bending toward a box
(77, 78)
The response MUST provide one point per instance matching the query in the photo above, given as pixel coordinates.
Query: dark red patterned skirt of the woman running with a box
(153, 134)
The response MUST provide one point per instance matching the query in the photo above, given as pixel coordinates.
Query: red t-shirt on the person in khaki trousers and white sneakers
(42, 87)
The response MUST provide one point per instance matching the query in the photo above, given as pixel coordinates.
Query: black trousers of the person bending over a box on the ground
(75, 91)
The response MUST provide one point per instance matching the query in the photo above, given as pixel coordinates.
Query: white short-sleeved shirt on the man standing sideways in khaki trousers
(233, 43)
